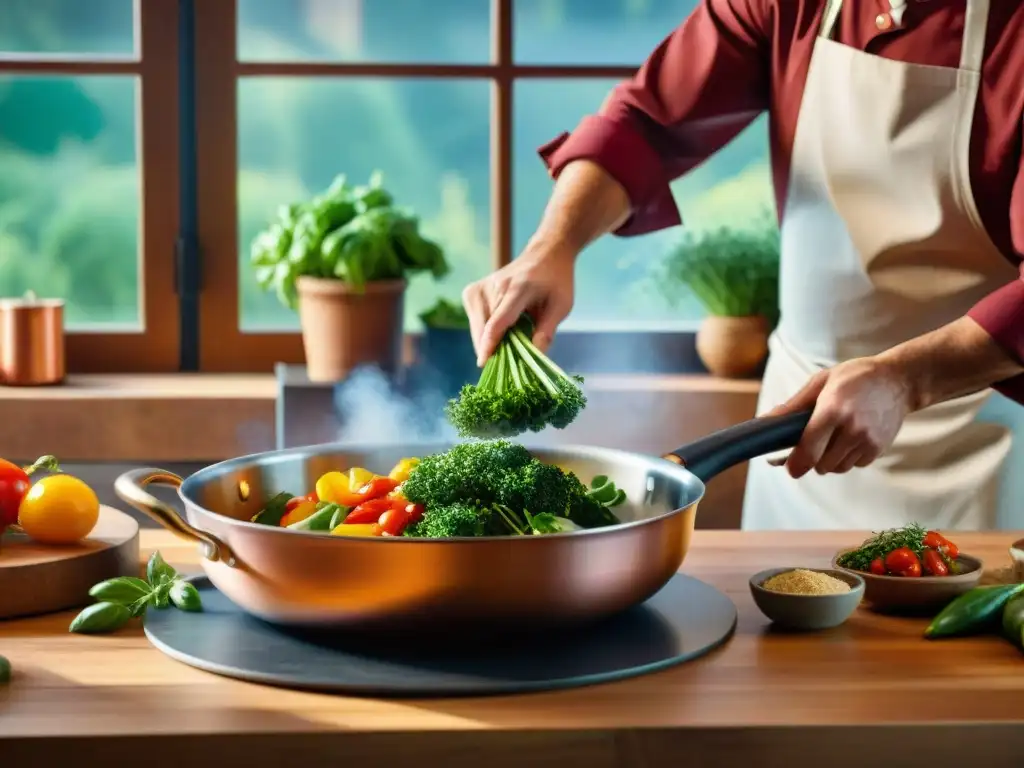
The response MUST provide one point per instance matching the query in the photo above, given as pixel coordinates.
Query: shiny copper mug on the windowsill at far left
(32, 342)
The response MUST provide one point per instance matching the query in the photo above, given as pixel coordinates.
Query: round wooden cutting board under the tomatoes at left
(44, 579)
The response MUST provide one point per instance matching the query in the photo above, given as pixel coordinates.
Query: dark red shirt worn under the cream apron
(734, 60)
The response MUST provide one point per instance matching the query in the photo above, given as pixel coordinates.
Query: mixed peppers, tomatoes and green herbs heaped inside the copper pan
(478, 489)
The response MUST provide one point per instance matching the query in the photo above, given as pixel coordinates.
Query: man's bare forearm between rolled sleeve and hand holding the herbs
(587, 203)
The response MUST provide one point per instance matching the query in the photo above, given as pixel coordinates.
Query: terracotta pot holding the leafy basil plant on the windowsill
(344, 329)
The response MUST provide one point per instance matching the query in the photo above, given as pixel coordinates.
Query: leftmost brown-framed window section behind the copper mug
(90, 174)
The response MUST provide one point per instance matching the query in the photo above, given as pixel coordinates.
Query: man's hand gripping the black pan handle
(860, 407)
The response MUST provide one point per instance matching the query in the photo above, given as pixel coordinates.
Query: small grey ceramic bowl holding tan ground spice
(807, 612)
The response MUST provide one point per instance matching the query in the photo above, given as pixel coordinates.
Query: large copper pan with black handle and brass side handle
(305, 579)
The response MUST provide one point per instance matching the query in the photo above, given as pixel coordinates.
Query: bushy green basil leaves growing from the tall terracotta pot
(352, 234)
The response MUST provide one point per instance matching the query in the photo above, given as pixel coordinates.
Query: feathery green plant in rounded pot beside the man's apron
(735, 275)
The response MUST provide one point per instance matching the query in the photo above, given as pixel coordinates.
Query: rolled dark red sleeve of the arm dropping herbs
(700, 89)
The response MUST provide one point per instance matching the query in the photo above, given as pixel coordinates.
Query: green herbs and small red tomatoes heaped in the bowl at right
(911, 551)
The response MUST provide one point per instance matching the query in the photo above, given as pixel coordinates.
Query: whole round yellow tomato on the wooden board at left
(59, 509)
